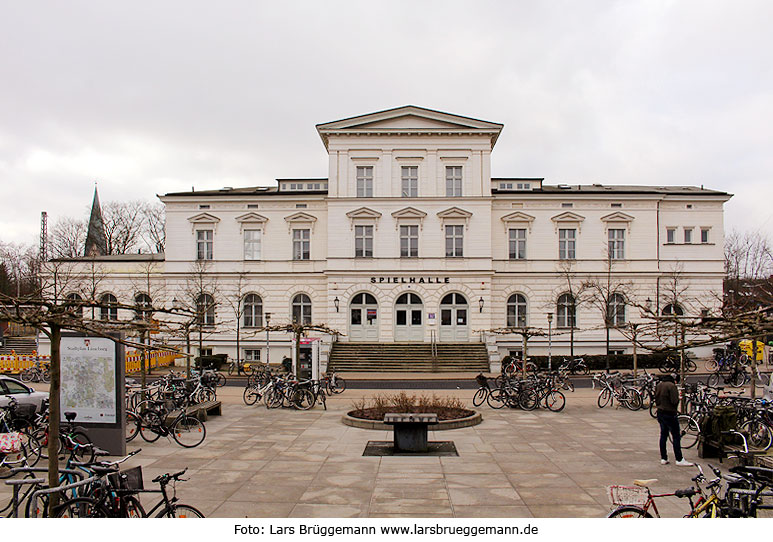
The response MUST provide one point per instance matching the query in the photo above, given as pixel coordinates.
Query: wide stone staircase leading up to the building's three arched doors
(408, 357)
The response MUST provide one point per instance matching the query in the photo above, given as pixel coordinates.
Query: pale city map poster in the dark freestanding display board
(88, 379)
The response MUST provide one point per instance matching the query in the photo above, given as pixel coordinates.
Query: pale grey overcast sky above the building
(155, 97)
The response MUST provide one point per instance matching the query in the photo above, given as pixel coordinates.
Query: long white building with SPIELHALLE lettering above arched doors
(410, 239)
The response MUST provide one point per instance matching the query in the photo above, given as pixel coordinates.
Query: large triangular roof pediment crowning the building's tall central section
(409, 119)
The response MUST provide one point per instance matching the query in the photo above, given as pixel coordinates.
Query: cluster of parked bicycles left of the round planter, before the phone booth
(290, 392)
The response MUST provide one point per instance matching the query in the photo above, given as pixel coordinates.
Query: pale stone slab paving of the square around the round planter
(286, 463)
